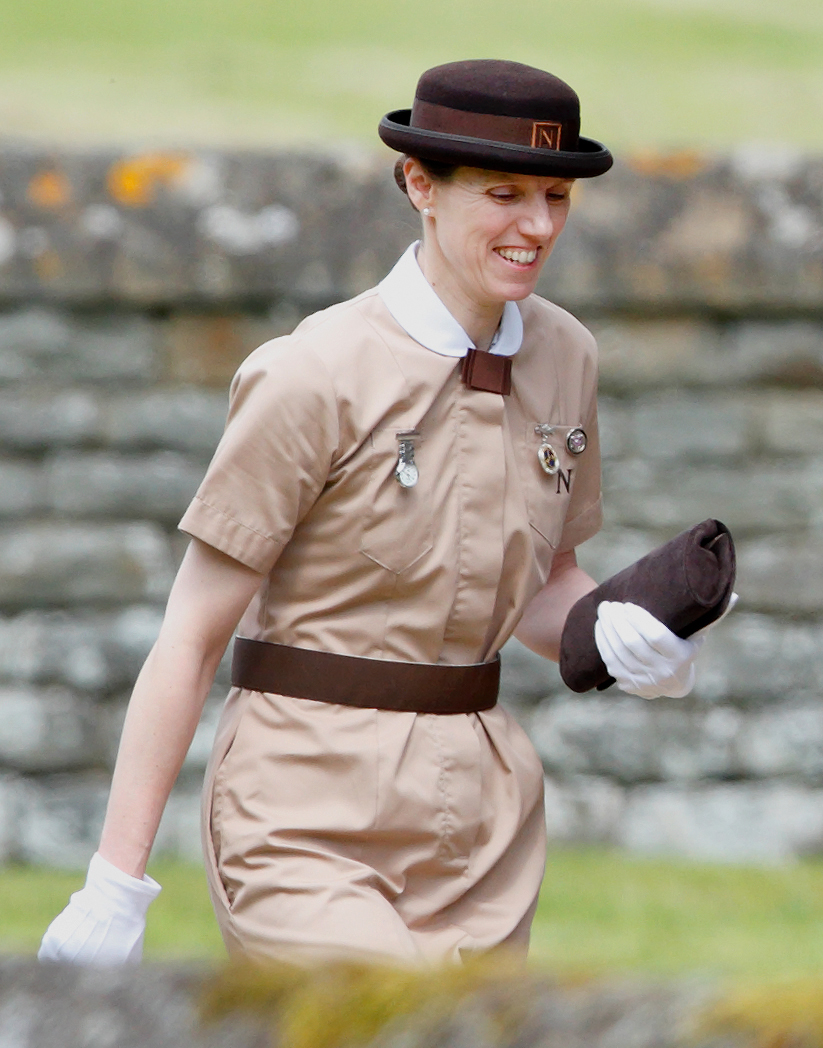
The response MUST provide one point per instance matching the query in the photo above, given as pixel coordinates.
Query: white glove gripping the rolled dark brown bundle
(643, 656)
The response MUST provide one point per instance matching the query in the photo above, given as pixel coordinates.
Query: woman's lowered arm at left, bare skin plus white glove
(104, 923)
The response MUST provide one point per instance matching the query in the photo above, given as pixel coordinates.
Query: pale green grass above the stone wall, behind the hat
(661, 73)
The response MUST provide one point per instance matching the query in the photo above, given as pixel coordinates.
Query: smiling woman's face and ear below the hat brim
(490, 233)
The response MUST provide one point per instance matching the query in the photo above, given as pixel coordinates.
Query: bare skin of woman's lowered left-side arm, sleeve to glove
(210, 595)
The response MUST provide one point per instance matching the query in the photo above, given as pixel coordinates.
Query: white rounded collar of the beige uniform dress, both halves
(417, 308)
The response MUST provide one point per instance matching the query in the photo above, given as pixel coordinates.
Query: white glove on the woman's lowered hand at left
(104, 923)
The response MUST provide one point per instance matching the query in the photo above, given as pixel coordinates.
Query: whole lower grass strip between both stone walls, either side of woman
(600, 912)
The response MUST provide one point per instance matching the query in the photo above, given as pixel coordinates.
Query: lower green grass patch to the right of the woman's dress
(607, 911)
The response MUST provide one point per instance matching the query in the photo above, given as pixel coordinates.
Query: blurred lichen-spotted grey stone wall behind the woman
(132, 287)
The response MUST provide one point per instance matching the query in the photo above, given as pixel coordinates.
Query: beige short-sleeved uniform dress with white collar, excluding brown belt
(374, 834)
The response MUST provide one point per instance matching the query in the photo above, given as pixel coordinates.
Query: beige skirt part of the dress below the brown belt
(373, 835)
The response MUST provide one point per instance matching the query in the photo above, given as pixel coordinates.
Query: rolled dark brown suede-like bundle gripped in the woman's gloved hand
(686, 584)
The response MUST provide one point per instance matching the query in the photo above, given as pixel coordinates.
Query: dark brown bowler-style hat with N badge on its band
(501, 116)
